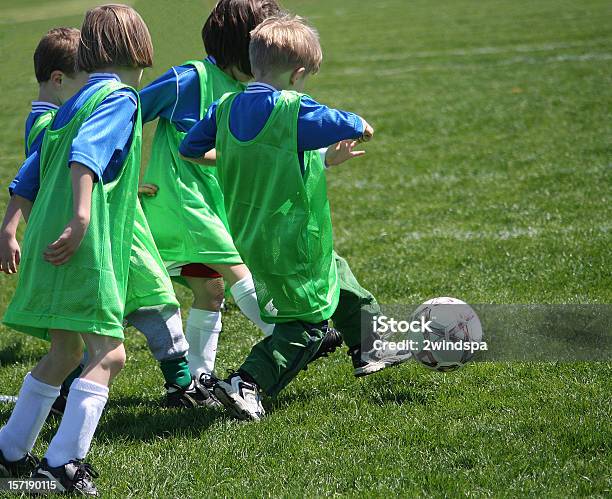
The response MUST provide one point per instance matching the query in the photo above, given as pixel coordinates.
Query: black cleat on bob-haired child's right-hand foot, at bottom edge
(75, 477)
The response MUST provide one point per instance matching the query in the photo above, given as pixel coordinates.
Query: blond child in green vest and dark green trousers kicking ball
(273, 182)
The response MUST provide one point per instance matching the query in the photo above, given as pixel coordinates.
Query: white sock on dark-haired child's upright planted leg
(202, 333)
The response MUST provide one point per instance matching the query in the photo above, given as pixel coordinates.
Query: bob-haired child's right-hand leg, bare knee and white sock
(86, 400)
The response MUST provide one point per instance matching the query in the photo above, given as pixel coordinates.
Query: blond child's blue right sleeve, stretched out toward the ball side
(320, 126)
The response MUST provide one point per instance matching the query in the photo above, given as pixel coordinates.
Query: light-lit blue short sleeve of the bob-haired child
(107, 131)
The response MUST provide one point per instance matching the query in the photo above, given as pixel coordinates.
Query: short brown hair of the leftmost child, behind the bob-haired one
(56, 51)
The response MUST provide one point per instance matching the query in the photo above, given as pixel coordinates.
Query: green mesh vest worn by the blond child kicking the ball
(279, 216)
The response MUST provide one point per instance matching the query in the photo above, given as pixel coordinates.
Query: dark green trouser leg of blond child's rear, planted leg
(277, 359)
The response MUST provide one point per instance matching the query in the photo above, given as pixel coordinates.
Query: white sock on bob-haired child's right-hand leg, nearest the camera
(86, 401)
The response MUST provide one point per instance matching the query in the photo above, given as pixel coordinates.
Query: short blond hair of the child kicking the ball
(285, 43)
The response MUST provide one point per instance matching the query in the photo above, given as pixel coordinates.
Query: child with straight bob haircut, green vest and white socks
(74, 269)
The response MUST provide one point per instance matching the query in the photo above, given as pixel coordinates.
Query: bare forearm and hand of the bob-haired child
(66, 245)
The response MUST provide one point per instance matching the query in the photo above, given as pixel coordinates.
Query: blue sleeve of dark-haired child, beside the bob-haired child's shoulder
(174, 96)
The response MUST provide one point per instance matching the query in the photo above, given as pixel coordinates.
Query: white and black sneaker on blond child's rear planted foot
(240, 398)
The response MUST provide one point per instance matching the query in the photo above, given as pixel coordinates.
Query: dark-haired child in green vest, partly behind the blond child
(185, 206)
